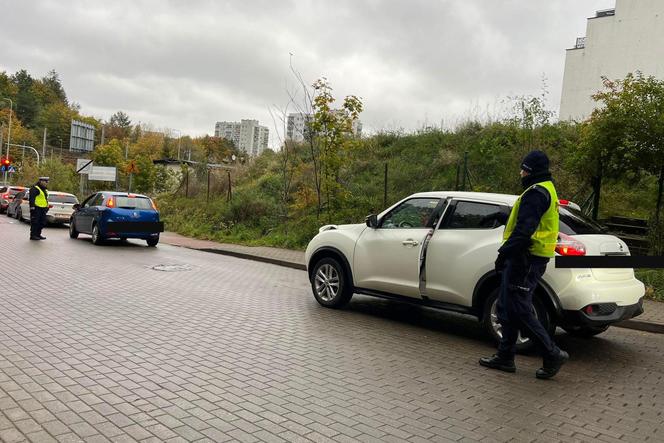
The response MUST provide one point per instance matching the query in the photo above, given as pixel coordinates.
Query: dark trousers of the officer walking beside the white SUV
(515, 307)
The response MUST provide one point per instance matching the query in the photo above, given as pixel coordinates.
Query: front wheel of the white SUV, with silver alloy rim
(330, 283)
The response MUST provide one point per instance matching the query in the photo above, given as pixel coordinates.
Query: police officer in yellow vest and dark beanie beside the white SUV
(529, 243)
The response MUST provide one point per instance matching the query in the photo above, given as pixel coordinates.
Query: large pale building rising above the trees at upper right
(618, 41)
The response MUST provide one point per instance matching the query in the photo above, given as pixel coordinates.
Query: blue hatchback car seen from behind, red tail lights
(120, 215)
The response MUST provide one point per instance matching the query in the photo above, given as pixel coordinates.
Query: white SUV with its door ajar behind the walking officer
(438, 249)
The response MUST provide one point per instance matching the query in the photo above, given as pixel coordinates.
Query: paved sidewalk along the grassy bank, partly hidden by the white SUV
(652, 320)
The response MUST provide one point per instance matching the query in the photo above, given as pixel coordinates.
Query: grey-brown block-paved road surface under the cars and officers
(99, 346)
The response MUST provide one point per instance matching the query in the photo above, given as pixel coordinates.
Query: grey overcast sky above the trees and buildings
(187, 64)
